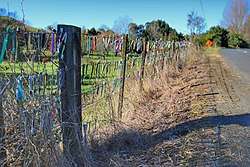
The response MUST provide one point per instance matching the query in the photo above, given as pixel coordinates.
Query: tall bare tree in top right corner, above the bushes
(235, 15)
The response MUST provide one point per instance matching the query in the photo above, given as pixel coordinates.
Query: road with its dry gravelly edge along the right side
(231, 71)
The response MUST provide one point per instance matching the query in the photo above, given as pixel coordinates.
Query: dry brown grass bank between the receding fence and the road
(170, 97)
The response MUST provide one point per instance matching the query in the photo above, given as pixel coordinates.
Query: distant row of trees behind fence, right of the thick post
(154, 30)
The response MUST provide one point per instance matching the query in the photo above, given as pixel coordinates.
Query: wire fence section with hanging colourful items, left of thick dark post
(30, 98)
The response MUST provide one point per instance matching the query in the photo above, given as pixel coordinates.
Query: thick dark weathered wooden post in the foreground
(70, 86)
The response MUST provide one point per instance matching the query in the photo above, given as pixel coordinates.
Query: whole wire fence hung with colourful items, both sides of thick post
(31, 81)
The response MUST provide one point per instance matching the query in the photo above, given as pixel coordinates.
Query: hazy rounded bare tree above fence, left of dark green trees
(121, 25)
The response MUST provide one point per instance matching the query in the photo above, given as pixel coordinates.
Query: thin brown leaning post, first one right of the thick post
(123, 74)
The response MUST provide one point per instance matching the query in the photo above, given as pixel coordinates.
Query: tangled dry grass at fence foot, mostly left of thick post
(25, 146)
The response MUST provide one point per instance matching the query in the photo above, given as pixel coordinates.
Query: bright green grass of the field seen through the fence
(97, 77)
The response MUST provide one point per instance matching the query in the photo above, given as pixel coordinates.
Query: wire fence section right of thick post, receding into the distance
(101, 101)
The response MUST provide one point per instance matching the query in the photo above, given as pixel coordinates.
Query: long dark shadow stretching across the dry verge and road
(131, 140)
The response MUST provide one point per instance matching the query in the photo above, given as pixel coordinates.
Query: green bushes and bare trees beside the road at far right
(234, 31)
